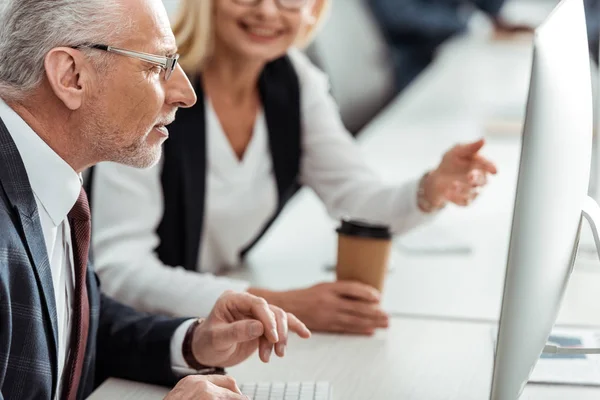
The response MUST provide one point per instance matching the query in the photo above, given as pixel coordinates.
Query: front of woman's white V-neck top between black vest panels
(240, 195)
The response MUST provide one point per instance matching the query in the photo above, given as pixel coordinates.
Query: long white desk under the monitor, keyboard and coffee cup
(439, 345)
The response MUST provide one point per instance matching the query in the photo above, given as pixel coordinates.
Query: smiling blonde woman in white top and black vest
(264, 124)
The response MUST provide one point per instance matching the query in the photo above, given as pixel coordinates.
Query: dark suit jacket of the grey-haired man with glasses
(121, 342)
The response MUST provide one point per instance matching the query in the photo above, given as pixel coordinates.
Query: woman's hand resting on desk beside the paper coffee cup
(341, 307)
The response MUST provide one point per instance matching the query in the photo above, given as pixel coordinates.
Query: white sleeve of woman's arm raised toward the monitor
(333, 165)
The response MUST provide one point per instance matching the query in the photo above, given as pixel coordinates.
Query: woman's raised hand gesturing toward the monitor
(460, 175)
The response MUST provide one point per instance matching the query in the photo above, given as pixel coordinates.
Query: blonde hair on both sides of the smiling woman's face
(193, 31)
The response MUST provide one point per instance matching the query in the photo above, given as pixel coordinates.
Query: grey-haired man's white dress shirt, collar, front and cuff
(56, 187)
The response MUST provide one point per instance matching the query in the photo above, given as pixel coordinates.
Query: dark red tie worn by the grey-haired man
(79, 221)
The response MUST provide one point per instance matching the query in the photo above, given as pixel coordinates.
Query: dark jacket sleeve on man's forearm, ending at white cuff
(133, 345)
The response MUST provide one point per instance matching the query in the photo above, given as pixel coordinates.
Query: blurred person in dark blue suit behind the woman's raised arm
(415, 29)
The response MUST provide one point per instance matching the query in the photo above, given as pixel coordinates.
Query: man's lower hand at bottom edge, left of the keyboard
(199, 387)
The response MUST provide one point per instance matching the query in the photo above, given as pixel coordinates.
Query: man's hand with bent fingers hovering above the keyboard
(238, 325)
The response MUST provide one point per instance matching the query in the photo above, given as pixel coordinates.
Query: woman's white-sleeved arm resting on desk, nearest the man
(127, 207)
